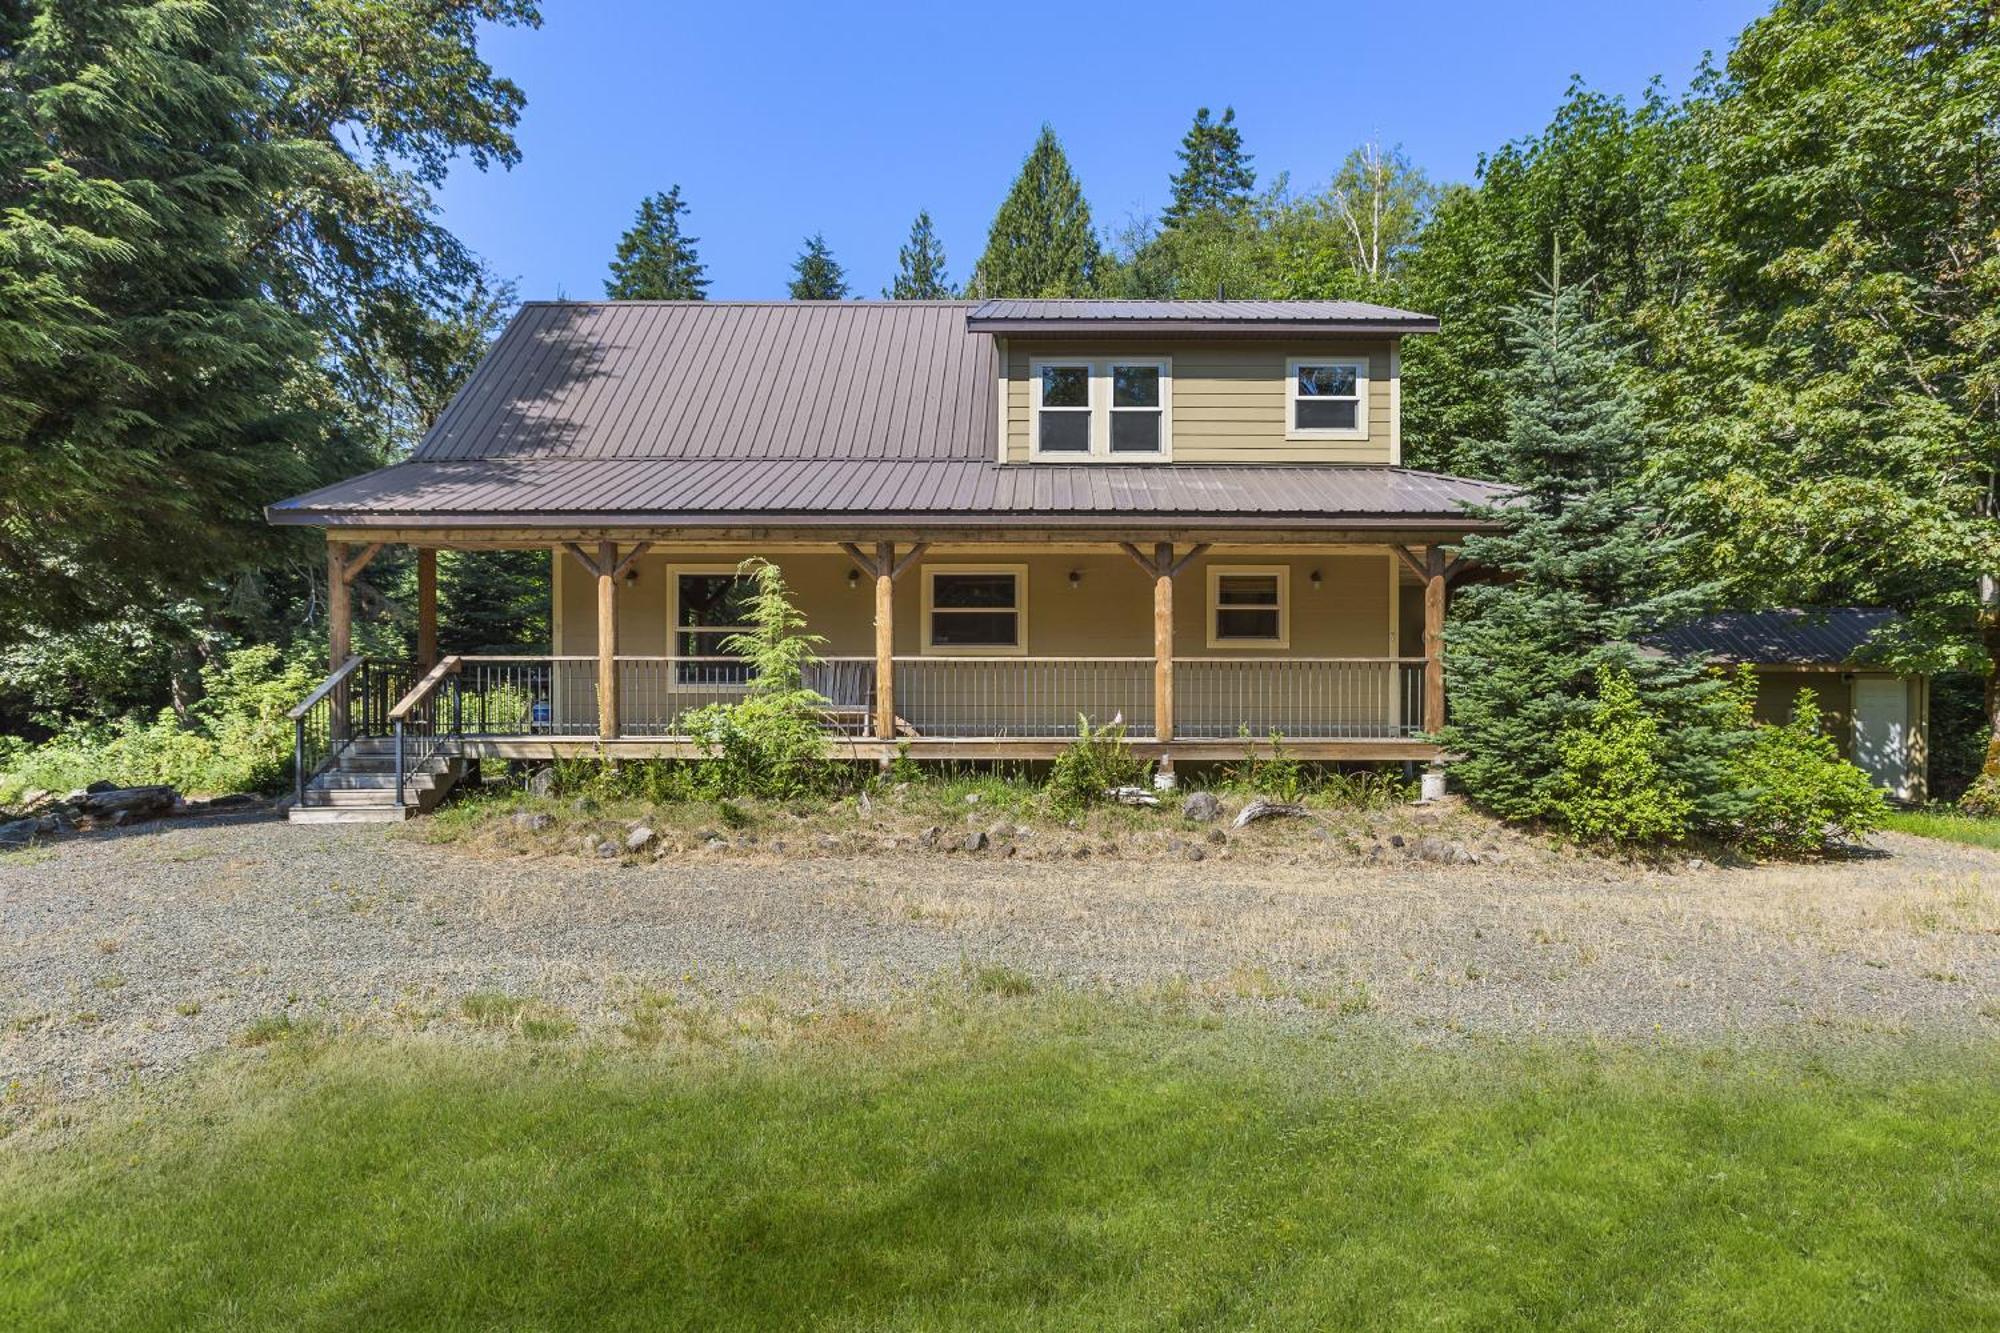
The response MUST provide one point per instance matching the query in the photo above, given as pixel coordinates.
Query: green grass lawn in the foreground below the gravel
(1035, 1164)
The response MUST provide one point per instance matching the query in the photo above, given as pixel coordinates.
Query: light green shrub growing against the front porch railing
(775, 742)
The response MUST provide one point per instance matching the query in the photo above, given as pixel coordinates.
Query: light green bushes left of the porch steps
(237, 738)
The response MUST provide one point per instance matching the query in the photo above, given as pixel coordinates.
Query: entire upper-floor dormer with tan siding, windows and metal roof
(1199, 381)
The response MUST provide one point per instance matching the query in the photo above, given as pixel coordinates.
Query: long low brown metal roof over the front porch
(525, 491)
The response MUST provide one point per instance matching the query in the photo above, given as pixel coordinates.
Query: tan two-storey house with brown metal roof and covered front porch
(999, 515)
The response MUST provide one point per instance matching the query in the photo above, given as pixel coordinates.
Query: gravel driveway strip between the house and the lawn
(129, 956)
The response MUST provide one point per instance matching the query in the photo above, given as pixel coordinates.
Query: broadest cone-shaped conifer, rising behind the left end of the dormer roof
(1041, 243)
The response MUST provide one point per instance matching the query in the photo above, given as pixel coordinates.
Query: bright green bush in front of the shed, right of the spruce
(1799, 788)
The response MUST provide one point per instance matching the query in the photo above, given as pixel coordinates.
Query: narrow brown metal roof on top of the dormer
(1193, 317)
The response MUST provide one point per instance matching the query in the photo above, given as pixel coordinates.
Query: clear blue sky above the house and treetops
(785, 119)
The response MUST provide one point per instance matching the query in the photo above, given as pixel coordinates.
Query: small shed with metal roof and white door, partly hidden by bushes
(1879, 718)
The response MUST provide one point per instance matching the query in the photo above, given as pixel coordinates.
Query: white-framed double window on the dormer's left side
(1101, 411)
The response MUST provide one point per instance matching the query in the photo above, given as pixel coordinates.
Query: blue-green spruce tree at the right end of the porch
(1587, 569)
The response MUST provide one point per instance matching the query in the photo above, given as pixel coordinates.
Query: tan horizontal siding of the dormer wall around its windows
(1229, 397)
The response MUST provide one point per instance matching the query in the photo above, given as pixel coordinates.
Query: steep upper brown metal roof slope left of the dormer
(697, 379)
